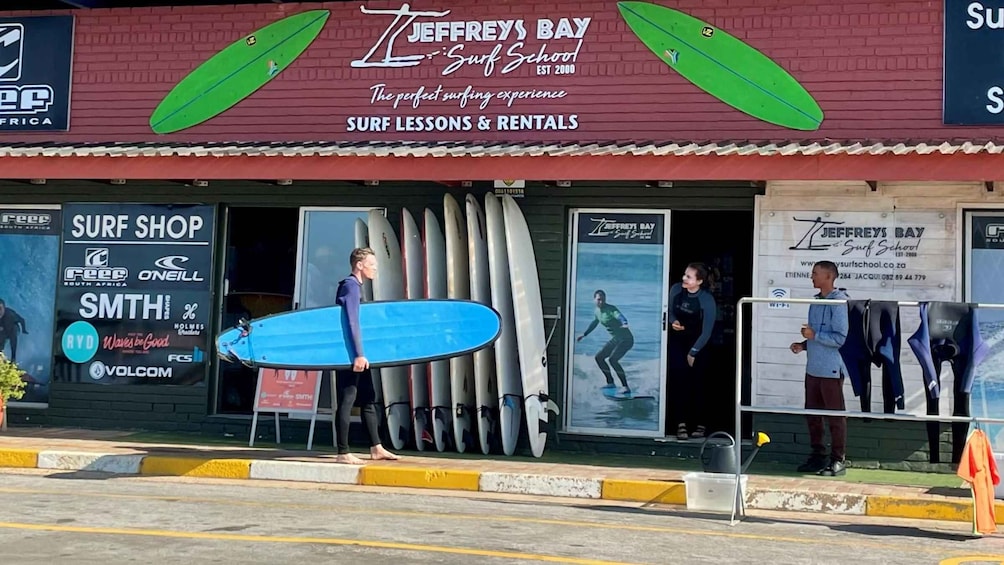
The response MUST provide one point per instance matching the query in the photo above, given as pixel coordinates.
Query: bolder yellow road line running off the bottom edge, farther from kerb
(304, 540)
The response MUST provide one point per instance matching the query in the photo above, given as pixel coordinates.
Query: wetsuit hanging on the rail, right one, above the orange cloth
(950, 332)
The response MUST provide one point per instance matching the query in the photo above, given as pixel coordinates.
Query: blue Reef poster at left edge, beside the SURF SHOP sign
(30, 248)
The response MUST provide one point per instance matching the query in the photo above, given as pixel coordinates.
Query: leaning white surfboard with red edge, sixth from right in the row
(415, 282)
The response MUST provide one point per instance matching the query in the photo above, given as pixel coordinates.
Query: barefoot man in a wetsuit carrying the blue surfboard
(356, 386)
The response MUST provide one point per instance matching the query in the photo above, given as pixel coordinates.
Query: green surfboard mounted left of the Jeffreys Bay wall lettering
(237, 72)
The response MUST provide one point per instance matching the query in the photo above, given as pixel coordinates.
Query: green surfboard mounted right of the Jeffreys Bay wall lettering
(722, 66)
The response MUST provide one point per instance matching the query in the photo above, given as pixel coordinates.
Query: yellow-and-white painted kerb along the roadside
(111, 452)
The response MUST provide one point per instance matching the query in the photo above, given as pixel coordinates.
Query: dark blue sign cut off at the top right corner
(974, 72)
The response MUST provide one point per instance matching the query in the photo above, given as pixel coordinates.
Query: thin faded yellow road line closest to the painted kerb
(810, 540)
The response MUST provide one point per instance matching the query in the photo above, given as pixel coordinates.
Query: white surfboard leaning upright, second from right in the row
(510, 382)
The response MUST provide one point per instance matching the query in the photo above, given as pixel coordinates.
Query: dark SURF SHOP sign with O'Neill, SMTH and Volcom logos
(135, 295)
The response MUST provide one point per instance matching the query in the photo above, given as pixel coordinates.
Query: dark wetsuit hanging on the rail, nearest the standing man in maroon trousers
(874, 338)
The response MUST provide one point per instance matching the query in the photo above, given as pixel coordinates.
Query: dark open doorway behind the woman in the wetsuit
(730, 262)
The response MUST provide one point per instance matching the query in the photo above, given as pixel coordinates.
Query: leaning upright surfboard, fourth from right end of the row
(458, 282)
